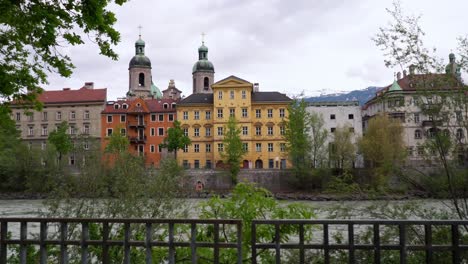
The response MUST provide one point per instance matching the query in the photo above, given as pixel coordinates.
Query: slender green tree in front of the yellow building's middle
(233, 148)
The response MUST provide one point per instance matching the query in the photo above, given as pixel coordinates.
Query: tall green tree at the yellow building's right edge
(297, 128)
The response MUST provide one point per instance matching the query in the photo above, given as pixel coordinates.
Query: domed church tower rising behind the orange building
(140, 78)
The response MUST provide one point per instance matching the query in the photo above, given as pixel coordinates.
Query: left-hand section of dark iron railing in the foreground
(64, 240)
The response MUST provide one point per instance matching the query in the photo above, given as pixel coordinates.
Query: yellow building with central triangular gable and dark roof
(260, 116)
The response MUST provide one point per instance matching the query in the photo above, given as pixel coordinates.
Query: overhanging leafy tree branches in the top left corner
(32, 34)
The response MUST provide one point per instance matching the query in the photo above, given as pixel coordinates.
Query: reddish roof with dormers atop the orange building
(153, 105)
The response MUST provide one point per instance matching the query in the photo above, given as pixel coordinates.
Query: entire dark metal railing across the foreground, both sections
(377, 244)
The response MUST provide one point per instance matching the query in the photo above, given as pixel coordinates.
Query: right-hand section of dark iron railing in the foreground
(456, 247)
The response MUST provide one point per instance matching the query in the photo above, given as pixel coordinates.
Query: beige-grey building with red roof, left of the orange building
(80, 108)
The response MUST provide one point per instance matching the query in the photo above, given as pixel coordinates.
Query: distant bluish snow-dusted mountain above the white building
(357, 95)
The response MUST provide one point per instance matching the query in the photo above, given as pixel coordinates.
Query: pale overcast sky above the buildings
(315, 46)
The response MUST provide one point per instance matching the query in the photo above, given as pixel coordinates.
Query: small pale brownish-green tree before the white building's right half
(344, 150)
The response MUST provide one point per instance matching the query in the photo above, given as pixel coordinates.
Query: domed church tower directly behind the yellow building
(203, 72)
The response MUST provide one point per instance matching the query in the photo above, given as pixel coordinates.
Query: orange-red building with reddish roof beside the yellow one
(143, 122)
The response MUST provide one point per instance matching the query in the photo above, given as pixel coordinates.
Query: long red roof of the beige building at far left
(67, 95)
